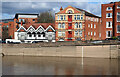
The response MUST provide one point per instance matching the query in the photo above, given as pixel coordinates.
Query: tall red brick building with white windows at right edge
(110, 20)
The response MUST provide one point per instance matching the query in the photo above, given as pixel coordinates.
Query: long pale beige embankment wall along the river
(101, 51)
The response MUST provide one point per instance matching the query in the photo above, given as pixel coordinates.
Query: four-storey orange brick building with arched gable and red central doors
(74, 24)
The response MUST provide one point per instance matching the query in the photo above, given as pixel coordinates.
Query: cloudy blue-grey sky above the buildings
(10, 7)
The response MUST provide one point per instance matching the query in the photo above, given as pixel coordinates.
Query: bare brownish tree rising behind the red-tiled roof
(46, 17)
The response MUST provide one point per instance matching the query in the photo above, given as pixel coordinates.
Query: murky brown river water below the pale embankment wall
(18, 65)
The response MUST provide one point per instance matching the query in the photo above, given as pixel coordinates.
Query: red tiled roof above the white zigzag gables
(36, 25)
